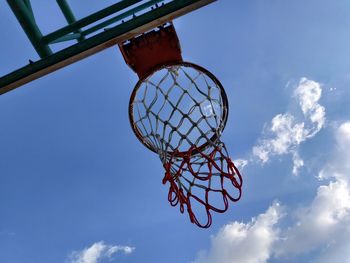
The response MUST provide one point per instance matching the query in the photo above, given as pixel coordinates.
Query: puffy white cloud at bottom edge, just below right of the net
(244, 243)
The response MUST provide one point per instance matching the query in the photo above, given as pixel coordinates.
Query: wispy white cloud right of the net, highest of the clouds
(286, 132)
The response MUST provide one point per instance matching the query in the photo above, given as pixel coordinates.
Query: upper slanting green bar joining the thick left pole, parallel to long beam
(89, 20)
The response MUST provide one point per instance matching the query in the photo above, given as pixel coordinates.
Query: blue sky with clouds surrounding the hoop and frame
(77, 186)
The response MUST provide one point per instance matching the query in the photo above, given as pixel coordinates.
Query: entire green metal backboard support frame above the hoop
(134, 17)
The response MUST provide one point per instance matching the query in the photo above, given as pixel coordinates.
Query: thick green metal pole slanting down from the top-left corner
(25, 17)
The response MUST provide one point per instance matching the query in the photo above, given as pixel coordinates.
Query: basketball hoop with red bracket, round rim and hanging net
(179, 110)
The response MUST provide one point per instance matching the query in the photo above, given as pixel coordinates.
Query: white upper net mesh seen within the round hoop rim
(178, 107)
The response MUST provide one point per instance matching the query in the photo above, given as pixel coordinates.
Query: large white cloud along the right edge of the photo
(325, 223)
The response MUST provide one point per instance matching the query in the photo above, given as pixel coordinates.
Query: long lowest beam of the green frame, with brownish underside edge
(111, 37)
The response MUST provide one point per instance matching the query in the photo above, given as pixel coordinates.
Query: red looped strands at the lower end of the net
(206, 181)
